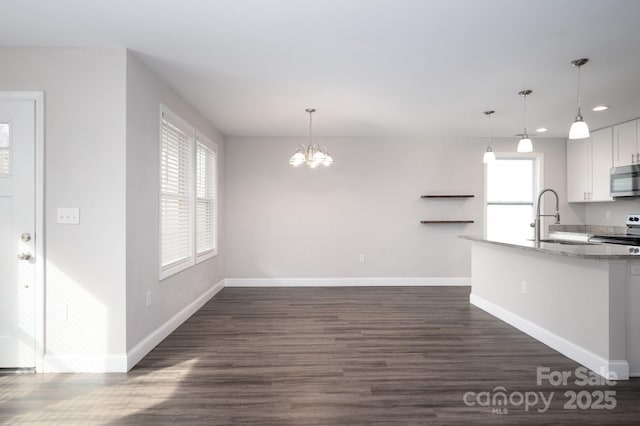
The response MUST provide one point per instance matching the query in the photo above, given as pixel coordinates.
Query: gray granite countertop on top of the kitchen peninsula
(584, 251)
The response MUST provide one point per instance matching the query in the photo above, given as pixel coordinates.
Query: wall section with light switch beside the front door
(85, 168)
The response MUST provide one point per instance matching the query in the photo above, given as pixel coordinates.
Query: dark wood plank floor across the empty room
(329, 356)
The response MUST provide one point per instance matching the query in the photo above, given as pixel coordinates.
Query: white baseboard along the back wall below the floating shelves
(345, 282)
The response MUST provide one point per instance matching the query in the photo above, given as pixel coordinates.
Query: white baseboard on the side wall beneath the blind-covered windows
(152, 340)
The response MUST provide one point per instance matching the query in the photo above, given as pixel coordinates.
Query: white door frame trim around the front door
(38, 98)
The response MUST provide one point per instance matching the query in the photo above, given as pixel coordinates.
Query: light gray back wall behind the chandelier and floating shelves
(285, 222)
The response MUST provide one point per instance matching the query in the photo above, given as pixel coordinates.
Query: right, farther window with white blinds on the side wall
(206, 198)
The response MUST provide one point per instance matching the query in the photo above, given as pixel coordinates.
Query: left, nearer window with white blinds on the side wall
(176, 194)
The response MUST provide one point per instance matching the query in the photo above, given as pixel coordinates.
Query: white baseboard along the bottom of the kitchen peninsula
(618, 369)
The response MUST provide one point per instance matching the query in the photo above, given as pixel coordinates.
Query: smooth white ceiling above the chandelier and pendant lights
(406, 68)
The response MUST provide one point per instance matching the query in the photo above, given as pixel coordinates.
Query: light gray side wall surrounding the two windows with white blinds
(145, 93)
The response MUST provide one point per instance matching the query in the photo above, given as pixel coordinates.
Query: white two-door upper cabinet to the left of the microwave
(588, 167)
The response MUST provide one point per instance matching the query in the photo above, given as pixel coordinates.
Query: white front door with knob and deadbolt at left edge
(17, 234)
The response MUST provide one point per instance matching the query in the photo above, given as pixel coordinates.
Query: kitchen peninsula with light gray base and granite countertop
(576, 298)
